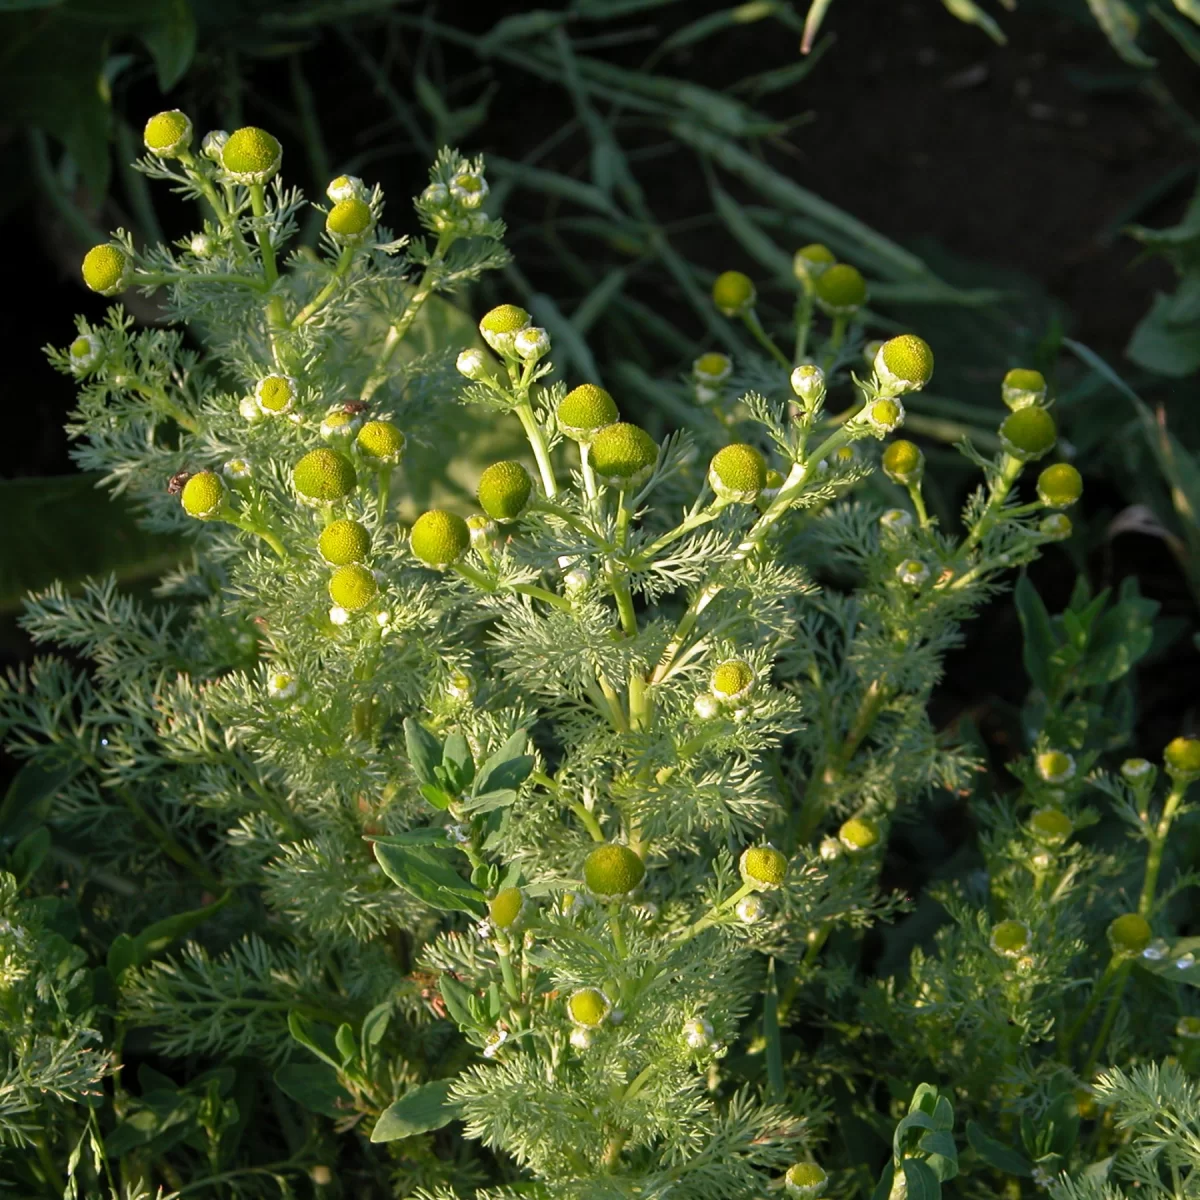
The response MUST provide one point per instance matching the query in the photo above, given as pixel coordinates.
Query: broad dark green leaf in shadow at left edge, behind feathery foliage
(69, 532)
